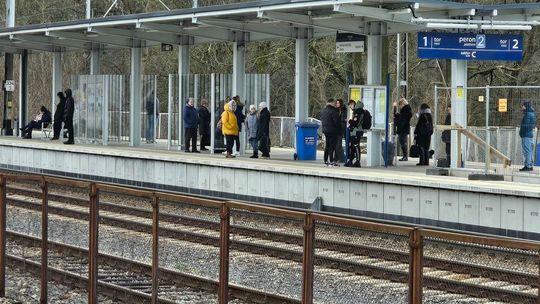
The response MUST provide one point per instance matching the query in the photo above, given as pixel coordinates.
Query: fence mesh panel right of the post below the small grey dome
(354, 265)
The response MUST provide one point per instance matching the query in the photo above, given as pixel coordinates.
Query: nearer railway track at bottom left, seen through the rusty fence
(123, 279)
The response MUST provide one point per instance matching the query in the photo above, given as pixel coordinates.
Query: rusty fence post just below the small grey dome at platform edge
(307, 259)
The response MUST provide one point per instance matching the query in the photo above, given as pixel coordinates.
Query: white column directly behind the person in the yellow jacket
(239, 77)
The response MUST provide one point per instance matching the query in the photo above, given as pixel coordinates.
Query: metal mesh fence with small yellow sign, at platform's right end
(494, 115)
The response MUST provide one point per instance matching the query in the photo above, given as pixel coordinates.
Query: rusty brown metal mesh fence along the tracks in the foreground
(406, 264)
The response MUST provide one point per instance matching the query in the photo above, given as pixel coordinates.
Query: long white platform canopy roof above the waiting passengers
(264, 20)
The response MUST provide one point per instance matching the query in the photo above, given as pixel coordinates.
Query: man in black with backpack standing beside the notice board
(360, 121)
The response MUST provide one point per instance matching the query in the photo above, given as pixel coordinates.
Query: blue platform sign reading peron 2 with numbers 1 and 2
(468, 46)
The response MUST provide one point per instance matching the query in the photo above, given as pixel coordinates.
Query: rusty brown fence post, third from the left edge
(93, 244)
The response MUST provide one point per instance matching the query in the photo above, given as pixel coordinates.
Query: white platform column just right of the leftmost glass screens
(135, 92)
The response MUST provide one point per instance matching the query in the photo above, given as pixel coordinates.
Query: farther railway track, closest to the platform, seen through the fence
(383, 263)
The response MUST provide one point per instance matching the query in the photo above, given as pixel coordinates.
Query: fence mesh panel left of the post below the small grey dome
(266, 252)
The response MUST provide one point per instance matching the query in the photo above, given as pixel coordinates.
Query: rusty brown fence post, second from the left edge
(44, 239)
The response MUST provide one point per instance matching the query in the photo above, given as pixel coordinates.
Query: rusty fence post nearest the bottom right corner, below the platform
(416, 261)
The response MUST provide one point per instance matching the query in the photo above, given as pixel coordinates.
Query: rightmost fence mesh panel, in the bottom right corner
(459, 272)
